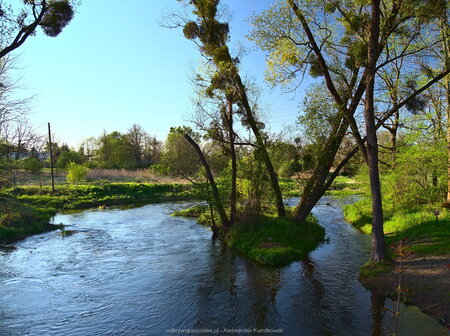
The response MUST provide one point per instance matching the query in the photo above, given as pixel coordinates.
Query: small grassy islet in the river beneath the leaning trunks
(270, 241)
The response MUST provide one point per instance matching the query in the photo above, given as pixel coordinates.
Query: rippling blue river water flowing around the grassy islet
(140, 271)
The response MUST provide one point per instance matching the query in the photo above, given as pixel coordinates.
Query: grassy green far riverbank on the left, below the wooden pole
(25, 211)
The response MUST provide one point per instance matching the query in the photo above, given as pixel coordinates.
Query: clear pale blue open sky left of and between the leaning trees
(115, 65)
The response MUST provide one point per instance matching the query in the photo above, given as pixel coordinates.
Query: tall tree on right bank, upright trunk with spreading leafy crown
(346, 44)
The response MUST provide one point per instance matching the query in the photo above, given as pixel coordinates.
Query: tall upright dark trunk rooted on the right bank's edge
(378, 252)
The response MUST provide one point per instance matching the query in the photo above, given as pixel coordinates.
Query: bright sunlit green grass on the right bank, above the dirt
(418, 226)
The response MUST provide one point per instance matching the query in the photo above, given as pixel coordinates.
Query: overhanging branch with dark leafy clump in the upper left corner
(17, 23)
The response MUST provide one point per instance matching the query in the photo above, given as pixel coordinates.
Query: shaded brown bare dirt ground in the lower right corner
(427, 282)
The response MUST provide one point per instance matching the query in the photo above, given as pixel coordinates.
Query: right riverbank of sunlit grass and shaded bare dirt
(426, 272)
